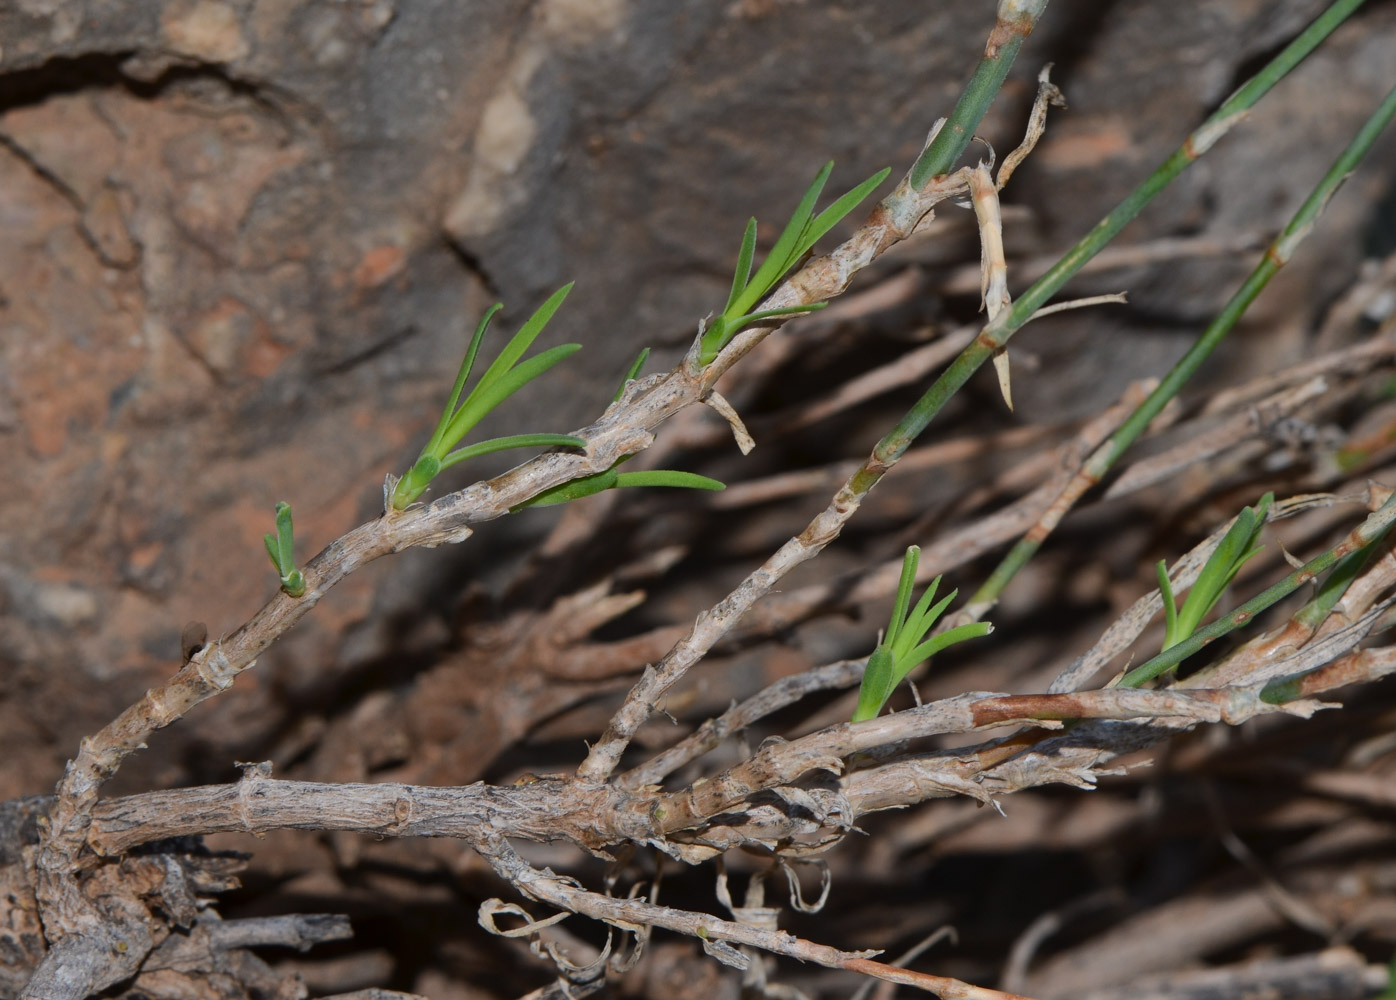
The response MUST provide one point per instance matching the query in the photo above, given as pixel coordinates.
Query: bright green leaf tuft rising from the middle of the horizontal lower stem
(904, 646)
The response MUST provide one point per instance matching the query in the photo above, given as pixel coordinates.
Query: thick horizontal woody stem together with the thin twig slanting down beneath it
(595, 816)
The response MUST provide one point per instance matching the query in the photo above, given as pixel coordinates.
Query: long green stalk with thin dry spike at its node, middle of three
(1010, 322)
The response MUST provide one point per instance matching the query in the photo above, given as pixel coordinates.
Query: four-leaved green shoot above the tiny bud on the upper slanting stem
(503, 379)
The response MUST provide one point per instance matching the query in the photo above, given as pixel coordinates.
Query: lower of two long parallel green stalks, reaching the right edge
(1275, 258)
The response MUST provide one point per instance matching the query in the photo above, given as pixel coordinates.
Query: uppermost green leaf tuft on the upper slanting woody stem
(802, 233)
